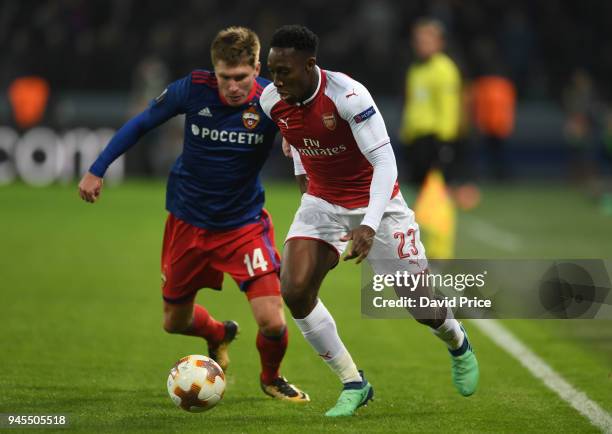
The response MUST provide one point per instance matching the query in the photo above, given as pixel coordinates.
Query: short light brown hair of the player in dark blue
(235, 46)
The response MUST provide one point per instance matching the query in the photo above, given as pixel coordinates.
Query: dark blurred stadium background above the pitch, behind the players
(104, 60)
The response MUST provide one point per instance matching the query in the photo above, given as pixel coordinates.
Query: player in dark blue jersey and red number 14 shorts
(216, 221)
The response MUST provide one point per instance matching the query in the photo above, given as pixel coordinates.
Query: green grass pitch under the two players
(81, 325)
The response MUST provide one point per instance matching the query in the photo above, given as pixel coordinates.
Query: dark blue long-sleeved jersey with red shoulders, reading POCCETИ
(214, 183)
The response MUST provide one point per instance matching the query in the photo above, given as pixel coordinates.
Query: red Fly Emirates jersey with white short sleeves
(331, 131)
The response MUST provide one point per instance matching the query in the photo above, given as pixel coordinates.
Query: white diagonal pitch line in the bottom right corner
(541, 370)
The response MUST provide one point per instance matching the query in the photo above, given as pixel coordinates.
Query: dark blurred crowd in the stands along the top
(104, 41)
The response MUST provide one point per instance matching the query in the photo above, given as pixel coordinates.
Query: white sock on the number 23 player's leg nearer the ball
(319, 329)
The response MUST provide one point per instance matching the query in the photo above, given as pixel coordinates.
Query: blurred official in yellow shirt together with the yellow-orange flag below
(430, 125)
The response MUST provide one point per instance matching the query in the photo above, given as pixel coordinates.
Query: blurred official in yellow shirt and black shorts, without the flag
(431, 115)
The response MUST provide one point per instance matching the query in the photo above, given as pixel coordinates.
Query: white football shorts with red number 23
(397, 245)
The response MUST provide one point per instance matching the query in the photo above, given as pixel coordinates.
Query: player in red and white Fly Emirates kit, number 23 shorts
(347, 171)
